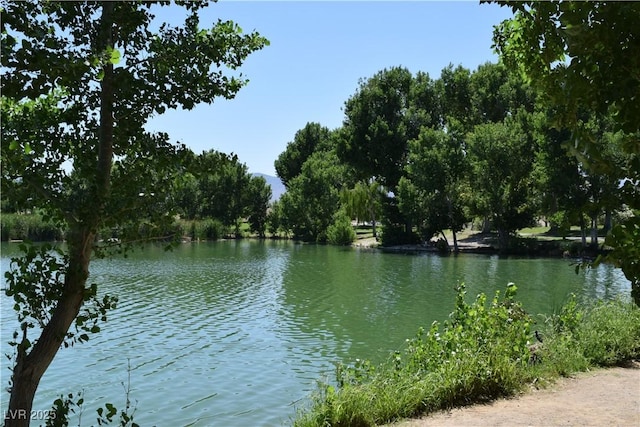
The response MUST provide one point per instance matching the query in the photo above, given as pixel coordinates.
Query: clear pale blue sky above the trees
(318, 53)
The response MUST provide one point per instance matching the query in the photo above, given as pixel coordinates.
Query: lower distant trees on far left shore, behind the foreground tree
(215, 197)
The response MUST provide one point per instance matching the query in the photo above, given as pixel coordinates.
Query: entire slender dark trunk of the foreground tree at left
(30, 367)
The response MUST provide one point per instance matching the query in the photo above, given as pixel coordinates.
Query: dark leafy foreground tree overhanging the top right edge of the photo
(586, 55)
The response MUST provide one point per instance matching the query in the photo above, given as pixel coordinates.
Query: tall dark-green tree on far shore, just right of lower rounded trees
(388, 110)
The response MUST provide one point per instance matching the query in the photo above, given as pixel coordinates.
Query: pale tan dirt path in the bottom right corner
(608, 397)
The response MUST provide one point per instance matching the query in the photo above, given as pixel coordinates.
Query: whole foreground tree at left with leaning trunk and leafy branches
(80, 81)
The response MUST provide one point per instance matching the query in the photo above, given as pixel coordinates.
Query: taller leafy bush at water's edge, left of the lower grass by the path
(477, 355)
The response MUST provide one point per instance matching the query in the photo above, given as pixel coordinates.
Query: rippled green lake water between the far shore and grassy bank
(237, 333)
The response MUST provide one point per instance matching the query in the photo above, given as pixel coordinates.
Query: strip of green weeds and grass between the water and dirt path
(484, 351)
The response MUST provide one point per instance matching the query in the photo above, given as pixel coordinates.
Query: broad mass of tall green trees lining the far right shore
(421, 155)
